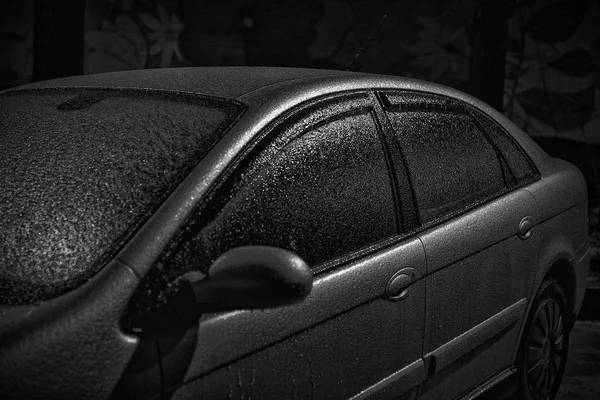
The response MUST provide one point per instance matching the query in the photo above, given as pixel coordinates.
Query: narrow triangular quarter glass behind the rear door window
(519, 164)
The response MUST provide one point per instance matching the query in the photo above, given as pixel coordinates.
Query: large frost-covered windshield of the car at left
(80, 170)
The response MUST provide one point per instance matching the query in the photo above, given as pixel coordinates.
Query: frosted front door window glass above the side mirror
(326, 193)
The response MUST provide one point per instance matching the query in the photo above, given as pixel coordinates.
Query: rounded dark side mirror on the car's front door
(253, 277)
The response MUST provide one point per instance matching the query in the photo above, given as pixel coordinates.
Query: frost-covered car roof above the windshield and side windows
(240, 82)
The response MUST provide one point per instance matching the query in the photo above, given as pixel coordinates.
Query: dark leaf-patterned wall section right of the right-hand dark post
(553, 69)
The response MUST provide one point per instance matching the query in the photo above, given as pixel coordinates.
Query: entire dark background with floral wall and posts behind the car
(537, 61)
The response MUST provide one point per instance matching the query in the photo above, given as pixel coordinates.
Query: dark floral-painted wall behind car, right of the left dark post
(552, 83)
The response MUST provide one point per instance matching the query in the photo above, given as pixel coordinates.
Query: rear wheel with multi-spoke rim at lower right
(544, 345)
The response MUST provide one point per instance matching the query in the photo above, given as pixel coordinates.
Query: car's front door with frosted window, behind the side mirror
(318, 184)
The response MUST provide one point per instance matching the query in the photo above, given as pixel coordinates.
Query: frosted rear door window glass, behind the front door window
(450, 162)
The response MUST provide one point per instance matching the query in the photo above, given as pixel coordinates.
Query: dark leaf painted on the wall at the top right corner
(556, 22)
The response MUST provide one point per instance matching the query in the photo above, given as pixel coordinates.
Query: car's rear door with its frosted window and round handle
(479, 270)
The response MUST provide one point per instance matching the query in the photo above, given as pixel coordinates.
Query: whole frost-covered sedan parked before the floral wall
(280, 233)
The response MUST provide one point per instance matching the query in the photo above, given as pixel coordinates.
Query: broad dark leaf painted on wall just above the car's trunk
(559, 110)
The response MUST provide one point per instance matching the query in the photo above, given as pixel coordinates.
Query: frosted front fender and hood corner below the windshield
(61, 342)
